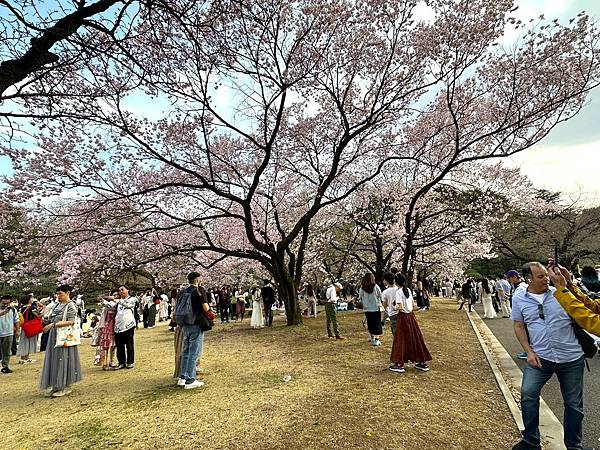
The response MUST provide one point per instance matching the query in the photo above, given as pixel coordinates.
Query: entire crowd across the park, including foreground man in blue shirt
(549, 307)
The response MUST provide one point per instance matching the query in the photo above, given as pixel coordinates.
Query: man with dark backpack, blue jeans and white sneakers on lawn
(193, 336)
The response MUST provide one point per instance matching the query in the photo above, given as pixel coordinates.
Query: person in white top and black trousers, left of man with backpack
(124, 329)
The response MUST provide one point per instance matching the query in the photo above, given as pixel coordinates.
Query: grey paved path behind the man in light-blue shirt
(503, 330)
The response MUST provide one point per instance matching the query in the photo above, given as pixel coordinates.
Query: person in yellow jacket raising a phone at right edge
(584, 310)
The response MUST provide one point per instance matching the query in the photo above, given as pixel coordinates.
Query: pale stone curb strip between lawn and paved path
(509, 376)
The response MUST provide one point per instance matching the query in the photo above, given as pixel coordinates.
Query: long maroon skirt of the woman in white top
(409, 345)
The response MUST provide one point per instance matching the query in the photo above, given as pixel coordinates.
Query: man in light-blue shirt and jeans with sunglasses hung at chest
(552, 348)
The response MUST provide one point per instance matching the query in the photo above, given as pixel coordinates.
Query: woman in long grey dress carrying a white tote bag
(61, 365)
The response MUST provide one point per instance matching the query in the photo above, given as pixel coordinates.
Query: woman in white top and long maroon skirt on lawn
(408, 345)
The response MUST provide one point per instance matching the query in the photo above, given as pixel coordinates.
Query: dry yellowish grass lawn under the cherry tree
(341, 395)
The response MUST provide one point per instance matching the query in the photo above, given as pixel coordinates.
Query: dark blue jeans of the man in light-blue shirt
(570, 377)
